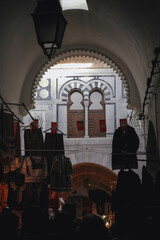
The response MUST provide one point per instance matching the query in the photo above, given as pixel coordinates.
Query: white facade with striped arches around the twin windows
(51, 106)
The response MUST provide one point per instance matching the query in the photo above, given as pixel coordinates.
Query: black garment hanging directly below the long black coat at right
(127, 199)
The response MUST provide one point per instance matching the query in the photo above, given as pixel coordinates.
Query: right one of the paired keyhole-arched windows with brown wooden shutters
(96, 114)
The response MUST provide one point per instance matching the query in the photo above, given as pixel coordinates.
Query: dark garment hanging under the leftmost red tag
(33, 141)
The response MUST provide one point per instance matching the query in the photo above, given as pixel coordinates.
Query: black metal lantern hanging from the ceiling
(50, 25)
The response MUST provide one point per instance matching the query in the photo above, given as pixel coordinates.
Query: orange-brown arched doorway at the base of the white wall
(92, 186)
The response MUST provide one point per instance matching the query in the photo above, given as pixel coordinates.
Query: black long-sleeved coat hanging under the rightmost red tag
(124, 147)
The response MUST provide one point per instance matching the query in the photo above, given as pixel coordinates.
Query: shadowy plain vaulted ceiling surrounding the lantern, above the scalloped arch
(127, 32)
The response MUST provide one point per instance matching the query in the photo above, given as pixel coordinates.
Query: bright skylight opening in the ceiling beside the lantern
(74, 4)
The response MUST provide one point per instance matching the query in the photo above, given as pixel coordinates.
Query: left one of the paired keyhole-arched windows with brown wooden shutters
(76, 115)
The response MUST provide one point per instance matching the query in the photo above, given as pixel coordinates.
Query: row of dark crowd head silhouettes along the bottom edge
(35, 226)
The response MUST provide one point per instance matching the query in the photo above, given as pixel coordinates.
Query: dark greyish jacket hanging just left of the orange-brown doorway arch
(61, 174)
